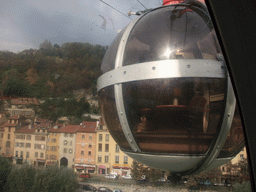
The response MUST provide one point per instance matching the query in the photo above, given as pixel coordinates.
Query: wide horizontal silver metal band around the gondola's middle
(163, 69)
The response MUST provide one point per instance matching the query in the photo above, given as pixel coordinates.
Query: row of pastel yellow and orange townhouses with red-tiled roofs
(87, 147)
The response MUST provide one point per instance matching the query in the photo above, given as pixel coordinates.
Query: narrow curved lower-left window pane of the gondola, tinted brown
(108, 108)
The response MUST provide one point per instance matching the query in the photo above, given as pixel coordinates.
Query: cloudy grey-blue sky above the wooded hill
(27, 23)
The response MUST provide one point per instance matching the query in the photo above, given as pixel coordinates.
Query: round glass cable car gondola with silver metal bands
(165, 93)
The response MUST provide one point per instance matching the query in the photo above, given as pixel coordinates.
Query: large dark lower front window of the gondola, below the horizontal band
(175, 115)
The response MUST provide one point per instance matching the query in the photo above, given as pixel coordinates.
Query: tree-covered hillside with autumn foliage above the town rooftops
(51, 70)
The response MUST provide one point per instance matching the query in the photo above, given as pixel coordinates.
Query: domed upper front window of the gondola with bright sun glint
(184, 35)
